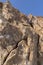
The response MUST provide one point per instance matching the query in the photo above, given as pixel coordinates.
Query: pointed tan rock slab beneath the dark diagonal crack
(20, 56)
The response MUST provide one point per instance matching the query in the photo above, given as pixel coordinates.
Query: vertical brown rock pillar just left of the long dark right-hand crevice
(33, 50)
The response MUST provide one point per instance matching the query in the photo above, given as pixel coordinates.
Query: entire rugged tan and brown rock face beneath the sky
(21, 37)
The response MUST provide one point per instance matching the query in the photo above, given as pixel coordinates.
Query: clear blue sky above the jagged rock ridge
(34, 7)
